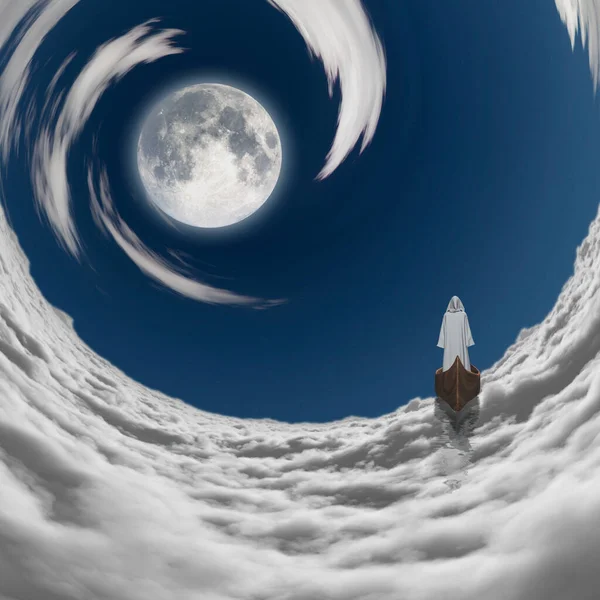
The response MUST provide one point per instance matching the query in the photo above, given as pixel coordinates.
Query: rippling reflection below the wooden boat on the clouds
(455, 448)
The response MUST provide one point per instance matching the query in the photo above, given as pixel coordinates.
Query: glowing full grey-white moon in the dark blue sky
(209, 155)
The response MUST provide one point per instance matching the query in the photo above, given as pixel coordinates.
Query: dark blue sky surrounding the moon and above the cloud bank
(481, 182)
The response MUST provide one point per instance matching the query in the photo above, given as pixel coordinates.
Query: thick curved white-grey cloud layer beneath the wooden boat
(112, 490)
